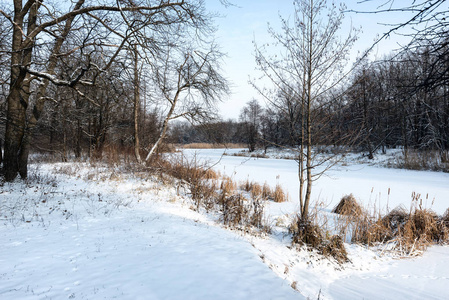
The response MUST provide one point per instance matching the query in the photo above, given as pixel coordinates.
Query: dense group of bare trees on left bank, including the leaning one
(83, 75)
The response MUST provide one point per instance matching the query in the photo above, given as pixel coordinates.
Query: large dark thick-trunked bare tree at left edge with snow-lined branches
(39, 41)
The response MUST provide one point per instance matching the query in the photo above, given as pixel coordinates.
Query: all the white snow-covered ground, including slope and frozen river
(87, 231)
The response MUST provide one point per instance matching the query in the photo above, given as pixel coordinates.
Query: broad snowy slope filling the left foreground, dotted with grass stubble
(121, 239)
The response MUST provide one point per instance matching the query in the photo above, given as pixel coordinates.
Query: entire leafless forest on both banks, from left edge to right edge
(86, 79)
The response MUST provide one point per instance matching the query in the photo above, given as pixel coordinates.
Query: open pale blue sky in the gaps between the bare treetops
(247, 21)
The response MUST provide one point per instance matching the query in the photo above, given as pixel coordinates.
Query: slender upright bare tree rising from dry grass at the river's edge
(308, 65)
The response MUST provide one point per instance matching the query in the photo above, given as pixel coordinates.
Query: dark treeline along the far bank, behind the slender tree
(398, 101)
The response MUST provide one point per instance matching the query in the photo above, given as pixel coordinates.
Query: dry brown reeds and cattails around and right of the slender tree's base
(404, 232)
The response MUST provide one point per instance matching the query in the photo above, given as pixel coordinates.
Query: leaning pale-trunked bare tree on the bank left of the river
(189, 82)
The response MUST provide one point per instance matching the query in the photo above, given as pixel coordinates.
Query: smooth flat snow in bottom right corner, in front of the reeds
(425, 277)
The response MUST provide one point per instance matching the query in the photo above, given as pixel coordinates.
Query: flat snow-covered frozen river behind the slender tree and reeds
(372, 186)
